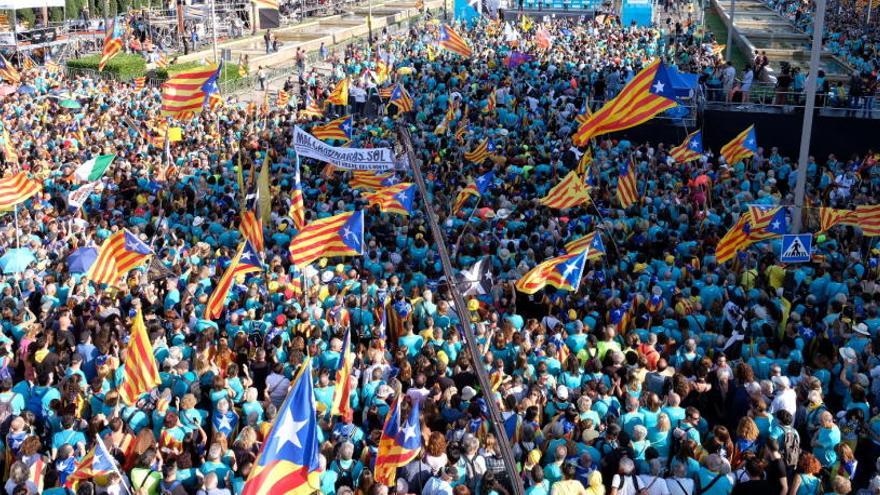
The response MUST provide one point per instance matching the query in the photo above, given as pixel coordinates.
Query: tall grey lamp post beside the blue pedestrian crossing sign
(807, 127)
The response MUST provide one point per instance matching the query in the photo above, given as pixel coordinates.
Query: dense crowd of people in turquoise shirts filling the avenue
(629, 385)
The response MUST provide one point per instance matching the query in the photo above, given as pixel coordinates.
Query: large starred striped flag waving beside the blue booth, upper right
(647, 94)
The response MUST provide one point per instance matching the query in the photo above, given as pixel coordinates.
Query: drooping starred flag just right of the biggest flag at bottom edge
(398, 446)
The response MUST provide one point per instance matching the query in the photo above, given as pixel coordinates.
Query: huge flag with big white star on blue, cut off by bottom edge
(289, 461)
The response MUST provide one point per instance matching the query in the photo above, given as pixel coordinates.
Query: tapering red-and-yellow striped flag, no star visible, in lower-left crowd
(140, 374)
